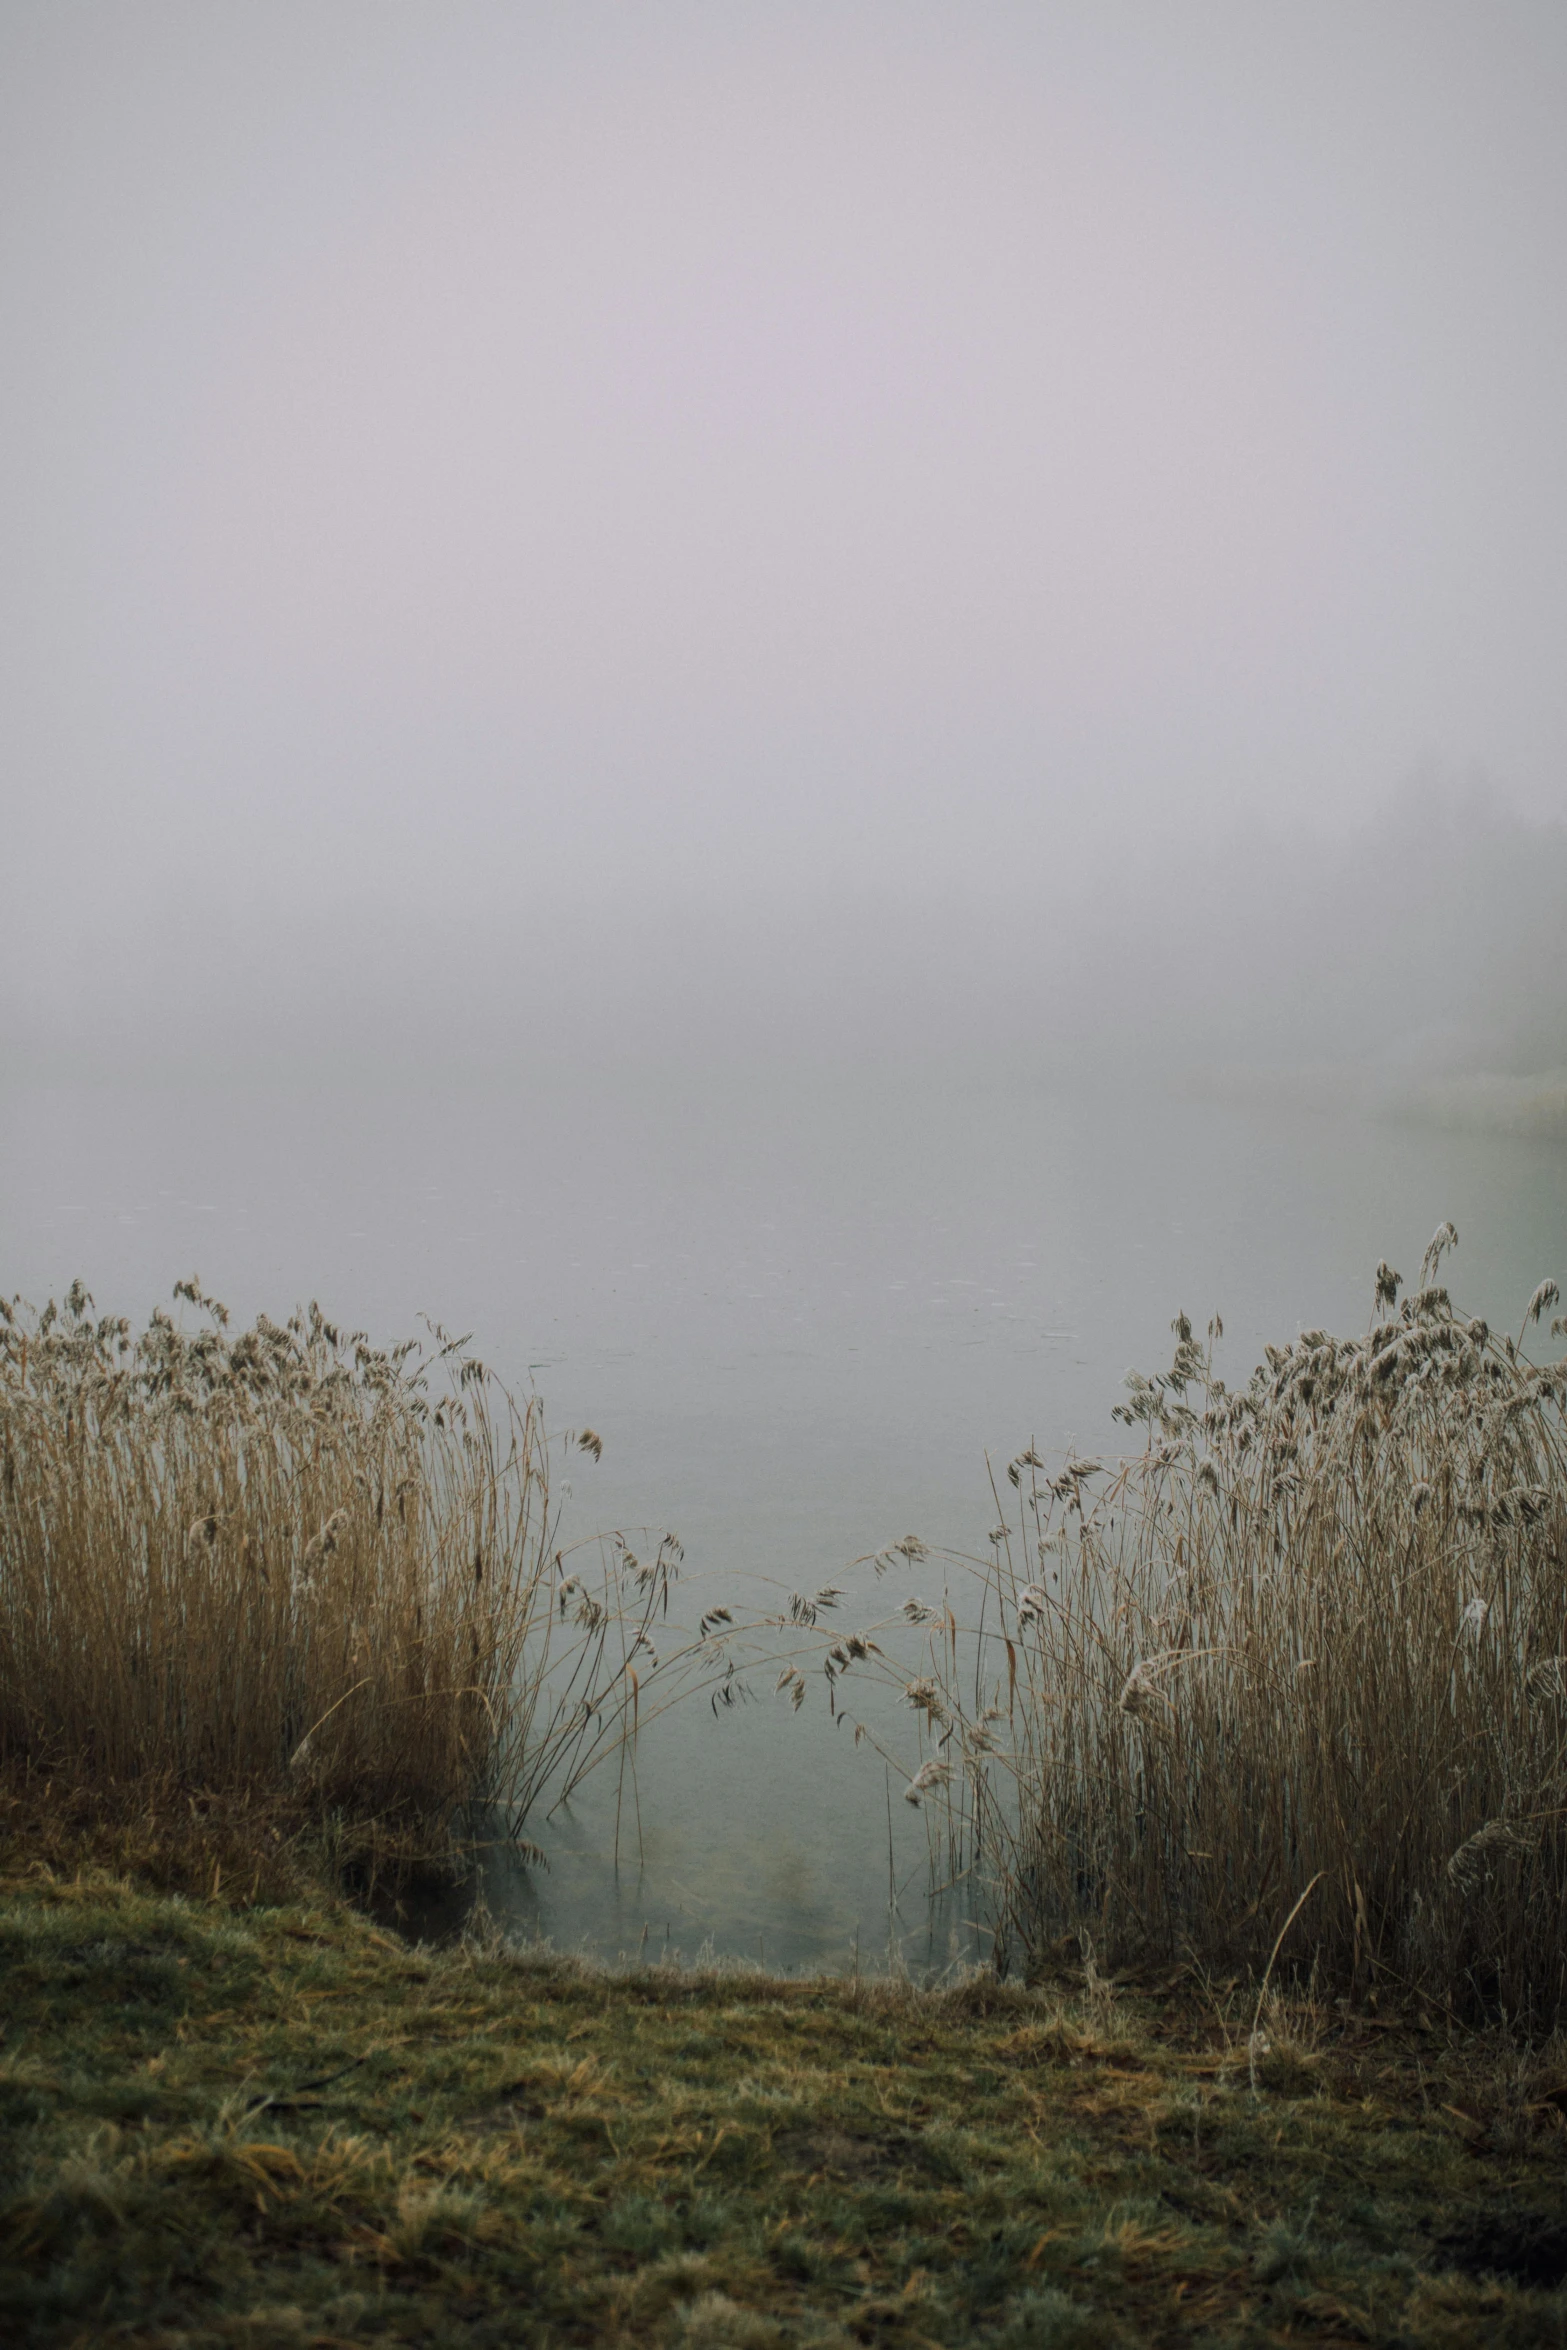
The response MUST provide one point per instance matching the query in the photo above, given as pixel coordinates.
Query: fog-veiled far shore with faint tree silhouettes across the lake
(1411, 967)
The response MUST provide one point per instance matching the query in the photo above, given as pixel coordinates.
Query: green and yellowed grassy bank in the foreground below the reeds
(278, 2126)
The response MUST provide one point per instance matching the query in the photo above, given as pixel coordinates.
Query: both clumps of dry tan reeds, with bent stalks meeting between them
(1286, 1688)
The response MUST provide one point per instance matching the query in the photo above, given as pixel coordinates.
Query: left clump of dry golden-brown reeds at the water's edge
(290, 1562)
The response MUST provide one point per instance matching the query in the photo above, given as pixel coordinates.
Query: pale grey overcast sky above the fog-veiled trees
(499, 459)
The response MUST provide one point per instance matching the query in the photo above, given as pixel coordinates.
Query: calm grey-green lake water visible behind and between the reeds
(800, 1317)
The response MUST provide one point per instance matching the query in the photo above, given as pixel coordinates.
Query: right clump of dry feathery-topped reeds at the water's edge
(1289, 1688)
